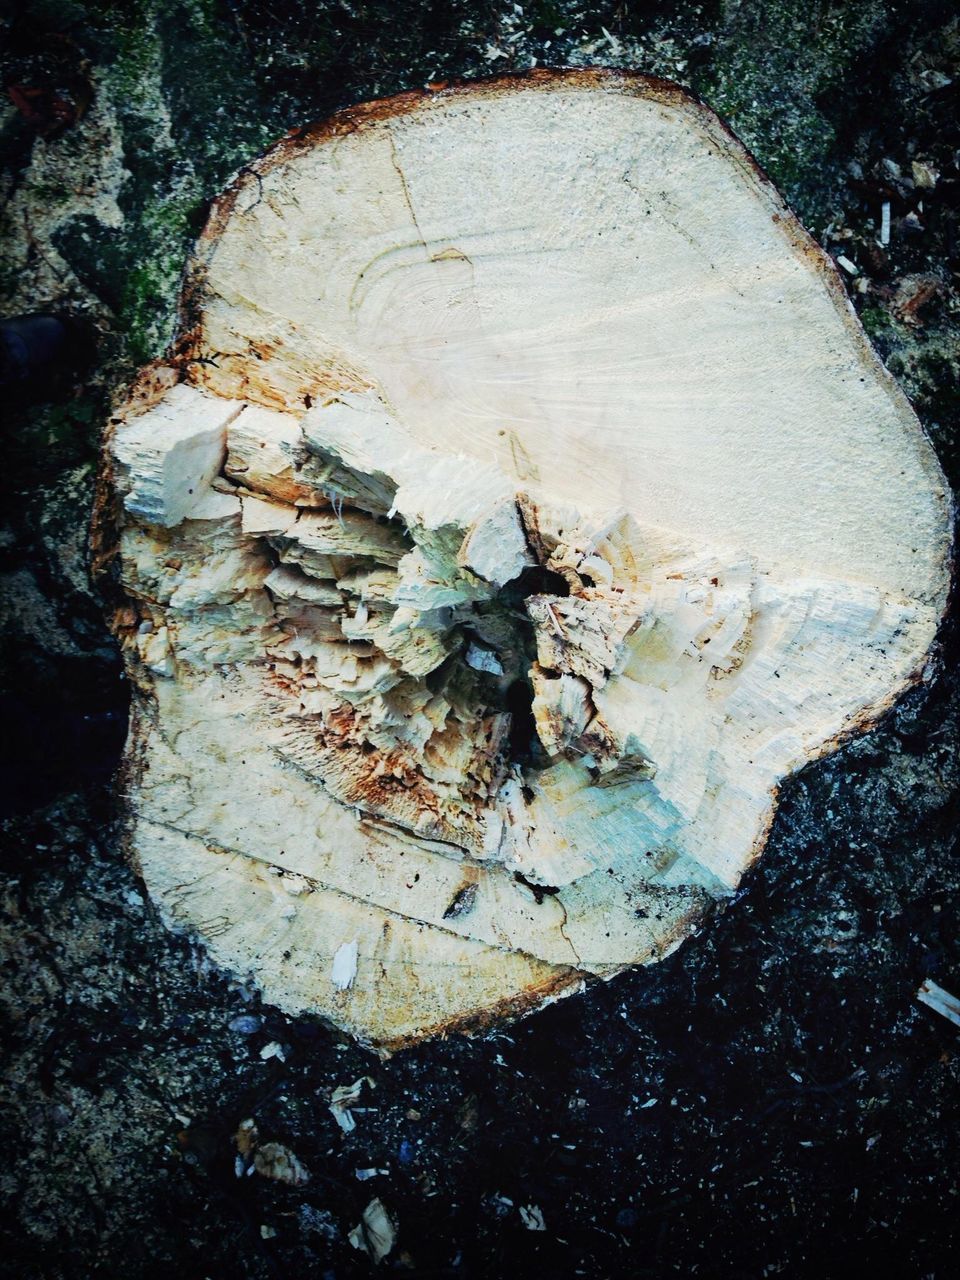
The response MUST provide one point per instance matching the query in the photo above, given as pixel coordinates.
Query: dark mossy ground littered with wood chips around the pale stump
(772, 1099)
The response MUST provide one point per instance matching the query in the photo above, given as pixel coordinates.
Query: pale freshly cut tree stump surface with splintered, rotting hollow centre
(522, 505)
